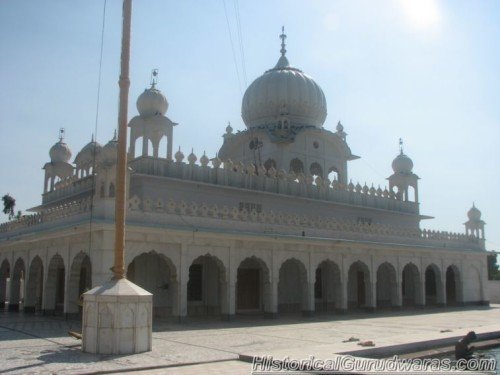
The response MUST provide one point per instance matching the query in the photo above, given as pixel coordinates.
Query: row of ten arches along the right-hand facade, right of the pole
(206, 289)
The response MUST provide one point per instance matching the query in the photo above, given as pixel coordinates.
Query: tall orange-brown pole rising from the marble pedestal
(121, 172)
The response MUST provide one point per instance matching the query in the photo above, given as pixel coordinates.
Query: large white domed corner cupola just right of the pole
(151, 125)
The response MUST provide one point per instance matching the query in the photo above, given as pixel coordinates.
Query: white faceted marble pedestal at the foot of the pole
(117, 319)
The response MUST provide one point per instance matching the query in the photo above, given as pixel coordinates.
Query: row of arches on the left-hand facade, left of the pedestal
(48, 289)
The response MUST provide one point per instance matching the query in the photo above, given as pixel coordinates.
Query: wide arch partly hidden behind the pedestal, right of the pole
(156, 273)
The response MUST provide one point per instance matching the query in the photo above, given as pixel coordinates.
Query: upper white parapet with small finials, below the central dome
(239, 175)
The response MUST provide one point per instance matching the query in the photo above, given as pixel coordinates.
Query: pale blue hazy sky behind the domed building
(426, 71)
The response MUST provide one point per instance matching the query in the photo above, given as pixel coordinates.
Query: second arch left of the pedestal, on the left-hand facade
(55, 286)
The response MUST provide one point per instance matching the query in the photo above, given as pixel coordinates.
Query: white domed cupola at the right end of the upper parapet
(403, 176)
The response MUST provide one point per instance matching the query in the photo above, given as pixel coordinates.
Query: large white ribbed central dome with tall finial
(284, 91)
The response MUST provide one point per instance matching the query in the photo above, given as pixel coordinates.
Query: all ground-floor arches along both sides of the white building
(206, 288)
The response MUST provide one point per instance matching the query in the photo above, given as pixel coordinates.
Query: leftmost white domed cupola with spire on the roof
(59, 167)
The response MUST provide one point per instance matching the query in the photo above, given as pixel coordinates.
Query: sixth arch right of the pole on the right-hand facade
(358, 285)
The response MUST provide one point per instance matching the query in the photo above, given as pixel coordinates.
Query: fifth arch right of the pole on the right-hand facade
(327, 287)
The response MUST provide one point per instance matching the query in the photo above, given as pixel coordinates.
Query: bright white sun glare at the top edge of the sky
(421, 14)
